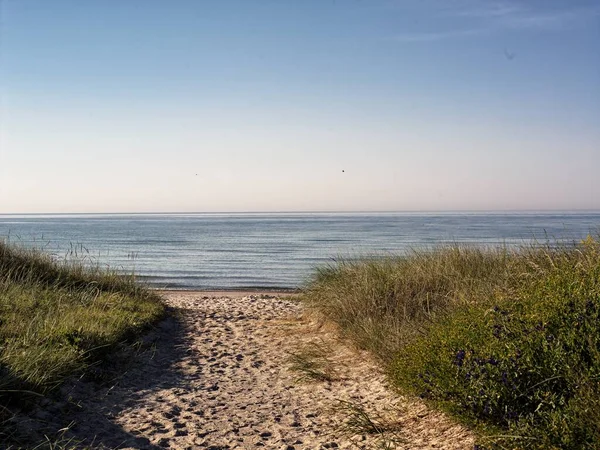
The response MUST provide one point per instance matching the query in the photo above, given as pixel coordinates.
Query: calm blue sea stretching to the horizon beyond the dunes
(222, 251)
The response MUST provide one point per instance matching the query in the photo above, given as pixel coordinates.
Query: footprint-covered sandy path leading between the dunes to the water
(217, 375)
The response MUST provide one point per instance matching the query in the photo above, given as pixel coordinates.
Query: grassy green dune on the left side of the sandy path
(59, 318)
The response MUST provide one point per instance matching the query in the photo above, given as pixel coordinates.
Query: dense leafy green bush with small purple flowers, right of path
(522, 366)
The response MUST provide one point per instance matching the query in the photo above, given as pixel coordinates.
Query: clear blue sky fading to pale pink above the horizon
(299, 105)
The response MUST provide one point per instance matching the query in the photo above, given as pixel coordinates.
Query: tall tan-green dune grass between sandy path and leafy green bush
(382, 302)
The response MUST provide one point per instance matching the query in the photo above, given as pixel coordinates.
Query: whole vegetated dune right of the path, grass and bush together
(506, 341)
